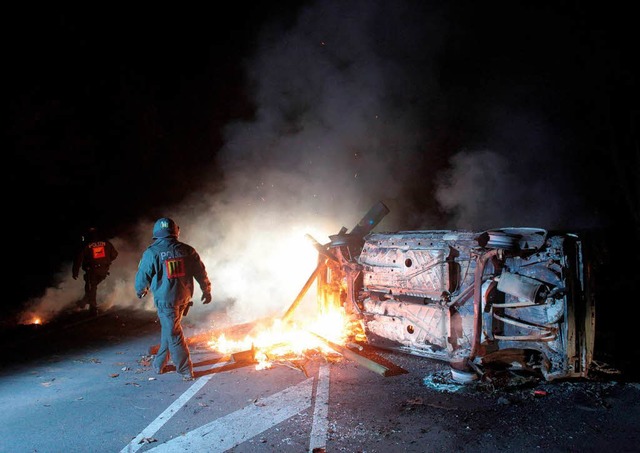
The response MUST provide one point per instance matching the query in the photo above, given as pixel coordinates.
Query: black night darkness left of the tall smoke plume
(103, 103)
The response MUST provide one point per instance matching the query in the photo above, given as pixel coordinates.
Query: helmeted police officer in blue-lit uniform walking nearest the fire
(168, 267)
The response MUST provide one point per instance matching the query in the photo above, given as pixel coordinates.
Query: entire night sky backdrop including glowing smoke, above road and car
(256, 123)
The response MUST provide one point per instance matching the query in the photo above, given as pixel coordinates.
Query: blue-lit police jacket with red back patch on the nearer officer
(168, 267)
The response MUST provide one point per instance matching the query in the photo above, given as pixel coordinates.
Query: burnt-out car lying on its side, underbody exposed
(506, 298)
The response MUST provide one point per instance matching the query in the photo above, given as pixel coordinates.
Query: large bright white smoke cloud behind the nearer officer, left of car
(334, 132)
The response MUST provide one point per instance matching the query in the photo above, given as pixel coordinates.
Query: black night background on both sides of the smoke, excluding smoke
(116, 114)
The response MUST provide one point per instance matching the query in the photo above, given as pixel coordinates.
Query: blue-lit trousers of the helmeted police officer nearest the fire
(172, 342)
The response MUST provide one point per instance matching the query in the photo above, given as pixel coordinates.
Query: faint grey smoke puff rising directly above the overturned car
(524, 179)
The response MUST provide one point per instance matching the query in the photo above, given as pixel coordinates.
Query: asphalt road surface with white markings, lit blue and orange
(87, 385)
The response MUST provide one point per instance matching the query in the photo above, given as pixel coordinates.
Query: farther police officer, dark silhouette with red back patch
(95, 258)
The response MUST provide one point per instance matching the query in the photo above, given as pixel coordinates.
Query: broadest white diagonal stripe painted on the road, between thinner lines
(240, 426)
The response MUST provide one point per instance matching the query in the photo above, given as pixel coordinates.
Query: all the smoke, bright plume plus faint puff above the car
(343, 98)
